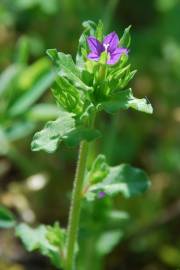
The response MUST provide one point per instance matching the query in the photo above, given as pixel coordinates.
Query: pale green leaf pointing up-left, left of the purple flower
(67, 68)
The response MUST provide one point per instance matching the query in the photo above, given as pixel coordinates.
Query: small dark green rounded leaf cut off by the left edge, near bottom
(7, 219)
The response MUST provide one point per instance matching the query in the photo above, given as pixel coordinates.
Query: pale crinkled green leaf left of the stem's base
(48, 240)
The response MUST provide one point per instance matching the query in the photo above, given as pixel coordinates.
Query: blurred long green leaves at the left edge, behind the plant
(21, 86)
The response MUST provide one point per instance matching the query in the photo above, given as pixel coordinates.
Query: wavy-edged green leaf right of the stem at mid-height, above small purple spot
(124, 179)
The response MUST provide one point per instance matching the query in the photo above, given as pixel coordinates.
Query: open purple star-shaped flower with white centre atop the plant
(109, 44)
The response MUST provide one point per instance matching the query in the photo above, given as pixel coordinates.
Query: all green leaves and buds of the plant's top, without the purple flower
(92, 85)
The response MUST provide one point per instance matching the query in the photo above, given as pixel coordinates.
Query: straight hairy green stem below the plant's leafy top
(75, 209)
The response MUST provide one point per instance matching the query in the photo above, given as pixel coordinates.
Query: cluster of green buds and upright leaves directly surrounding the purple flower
(88, 83)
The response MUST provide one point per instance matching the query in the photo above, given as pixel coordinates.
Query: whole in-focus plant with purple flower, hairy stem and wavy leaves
(97, 81)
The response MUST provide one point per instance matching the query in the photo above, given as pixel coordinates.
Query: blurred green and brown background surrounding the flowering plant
(36, 186)
